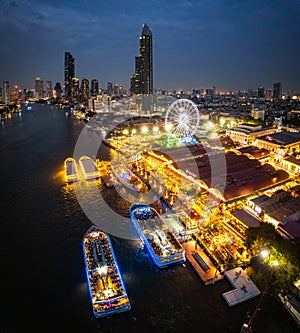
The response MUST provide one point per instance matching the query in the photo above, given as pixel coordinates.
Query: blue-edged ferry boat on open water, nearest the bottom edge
(106, 287)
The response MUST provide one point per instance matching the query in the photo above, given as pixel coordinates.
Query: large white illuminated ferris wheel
(182, 119)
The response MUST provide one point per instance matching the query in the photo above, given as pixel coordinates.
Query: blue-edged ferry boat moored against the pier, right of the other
(163, 247)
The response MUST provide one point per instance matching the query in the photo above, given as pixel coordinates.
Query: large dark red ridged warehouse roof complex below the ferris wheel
(243, 174)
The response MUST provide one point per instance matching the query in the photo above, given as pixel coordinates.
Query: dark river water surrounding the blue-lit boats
(43, 282)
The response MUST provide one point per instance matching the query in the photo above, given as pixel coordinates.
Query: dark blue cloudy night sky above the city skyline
(228, 44)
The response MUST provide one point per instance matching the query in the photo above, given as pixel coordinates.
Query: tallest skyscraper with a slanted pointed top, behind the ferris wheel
(143, 76)
